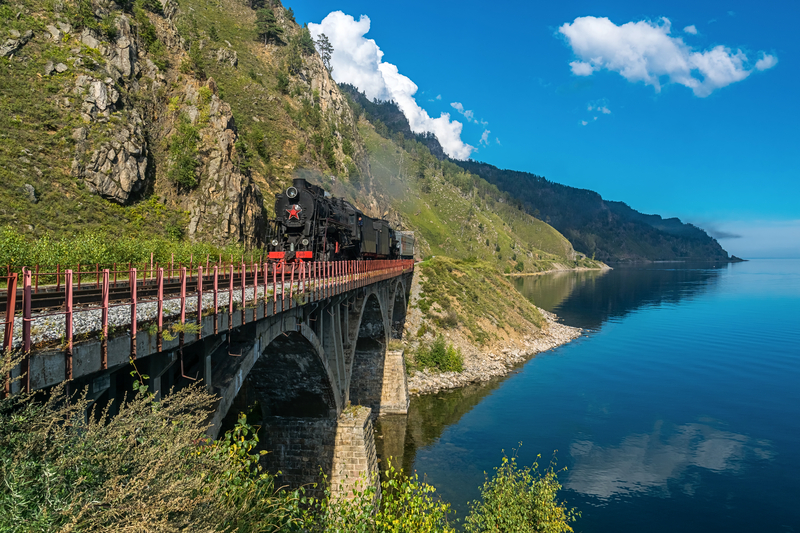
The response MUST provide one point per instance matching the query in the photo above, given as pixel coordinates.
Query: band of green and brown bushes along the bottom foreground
(66, 465)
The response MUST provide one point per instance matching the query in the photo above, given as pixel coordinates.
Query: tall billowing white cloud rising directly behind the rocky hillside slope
(358, 61)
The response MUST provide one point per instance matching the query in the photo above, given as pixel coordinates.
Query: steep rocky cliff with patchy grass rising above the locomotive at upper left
(146, 104)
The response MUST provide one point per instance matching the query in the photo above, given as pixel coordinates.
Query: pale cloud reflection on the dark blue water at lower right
(651, 462)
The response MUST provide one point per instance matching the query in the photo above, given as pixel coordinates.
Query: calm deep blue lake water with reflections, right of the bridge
(679, 410)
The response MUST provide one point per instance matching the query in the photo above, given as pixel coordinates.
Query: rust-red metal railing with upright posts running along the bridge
(285, 283)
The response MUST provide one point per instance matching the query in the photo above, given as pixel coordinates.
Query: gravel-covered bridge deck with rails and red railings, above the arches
(157, 303)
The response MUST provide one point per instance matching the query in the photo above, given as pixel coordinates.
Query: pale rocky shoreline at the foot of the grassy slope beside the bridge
(485, 366)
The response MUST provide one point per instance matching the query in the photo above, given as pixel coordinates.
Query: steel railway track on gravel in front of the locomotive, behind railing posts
(49, 298)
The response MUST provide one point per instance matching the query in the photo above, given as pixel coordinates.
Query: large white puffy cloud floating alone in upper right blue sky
(645, 52)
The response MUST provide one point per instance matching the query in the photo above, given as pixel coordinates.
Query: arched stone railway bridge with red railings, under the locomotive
(308, 344)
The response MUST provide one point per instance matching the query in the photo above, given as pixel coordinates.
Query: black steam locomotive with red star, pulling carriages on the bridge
(311, 225)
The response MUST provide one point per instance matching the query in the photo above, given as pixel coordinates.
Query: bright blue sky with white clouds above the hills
(682, 109)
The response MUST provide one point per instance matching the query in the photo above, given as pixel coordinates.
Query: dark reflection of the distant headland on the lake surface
(587, 299)
